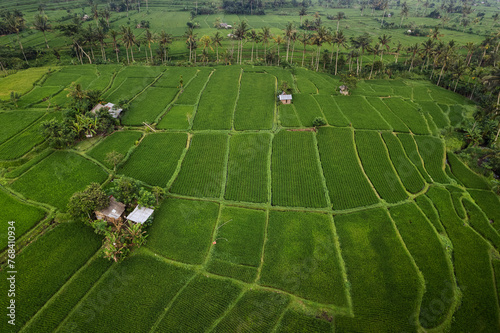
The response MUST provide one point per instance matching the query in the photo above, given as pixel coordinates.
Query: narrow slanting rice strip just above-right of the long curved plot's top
(407, 172)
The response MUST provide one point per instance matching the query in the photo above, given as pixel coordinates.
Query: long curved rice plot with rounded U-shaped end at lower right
(430, 258)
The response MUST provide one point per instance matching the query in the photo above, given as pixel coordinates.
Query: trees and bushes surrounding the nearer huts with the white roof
(120, 237)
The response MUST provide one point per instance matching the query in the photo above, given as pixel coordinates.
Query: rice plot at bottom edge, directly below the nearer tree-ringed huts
(139, 283)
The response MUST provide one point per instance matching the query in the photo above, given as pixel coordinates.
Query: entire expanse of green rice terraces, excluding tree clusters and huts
(268, 224)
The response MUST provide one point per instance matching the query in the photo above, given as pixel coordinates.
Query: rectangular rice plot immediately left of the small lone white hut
(256, 102)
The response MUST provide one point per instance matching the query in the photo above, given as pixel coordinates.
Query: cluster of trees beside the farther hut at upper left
(78, 122)
